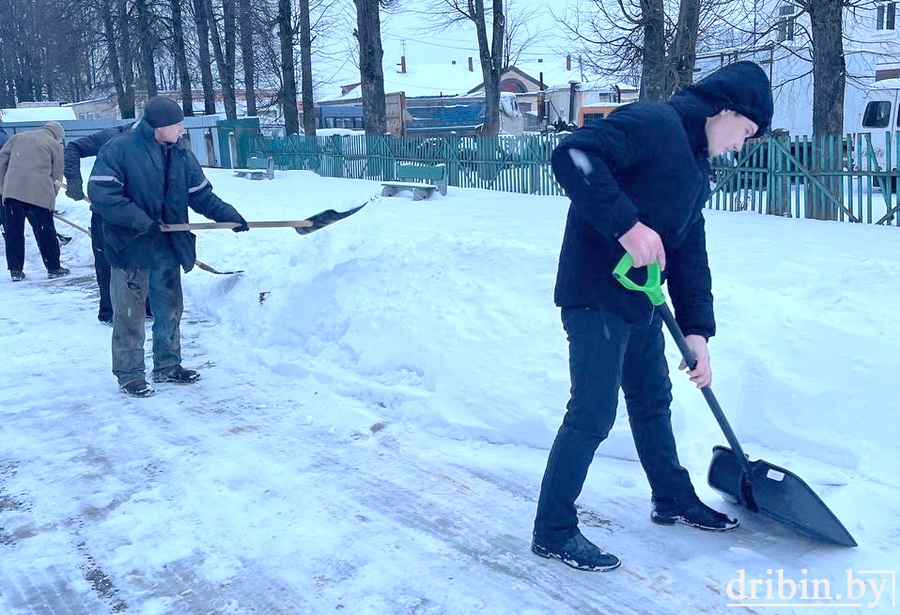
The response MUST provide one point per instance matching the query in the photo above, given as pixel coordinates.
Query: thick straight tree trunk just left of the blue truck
(371, 73)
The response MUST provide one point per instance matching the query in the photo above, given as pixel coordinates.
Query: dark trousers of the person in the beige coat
(41, 219)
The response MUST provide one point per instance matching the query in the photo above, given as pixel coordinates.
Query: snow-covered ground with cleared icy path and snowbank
(376, 407)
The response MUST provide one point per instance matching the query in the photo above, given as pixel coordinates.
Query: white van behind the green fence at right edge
(879, 117)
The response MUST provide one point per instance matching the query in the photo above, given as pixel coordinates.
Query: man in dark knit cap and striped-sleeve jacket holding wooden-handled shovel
(140, 181)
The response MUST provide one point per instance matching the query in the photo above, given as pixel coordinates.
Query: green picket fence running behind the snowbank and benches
(853, 178)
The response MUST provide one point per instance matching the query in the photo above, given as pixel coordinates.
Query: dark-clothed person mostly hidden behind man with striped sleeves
(74, 151)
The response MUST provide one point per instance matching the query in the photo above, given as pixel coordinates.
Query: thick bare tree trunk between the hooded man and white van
(829, 79)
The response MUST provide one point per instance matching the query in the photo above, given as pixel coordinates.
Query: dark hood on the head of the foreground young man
(742, 87)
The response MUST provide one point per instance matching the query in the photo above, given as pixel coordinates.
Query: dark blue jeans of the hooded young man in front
(605, 352)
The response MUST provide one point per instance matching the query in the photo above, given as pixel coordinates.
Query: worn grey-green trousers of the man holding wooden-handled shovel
(129, 290)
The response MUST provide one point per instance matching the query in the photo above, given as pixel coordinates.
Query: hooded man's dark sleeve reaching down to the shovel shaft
(690, 283)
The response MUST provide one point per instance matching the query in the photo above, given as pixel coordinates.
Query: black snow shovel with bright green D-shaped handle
(759, 485)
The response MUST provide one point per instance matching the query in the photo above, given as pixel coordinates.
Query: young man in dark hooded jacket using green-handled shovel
(638, 182)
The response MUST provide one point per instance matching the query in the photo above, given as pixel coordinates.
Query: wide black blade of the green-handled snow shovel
(778, 494)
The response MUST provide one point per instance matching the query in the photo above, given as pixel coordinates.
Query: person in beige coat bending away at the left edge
(30, 165)
